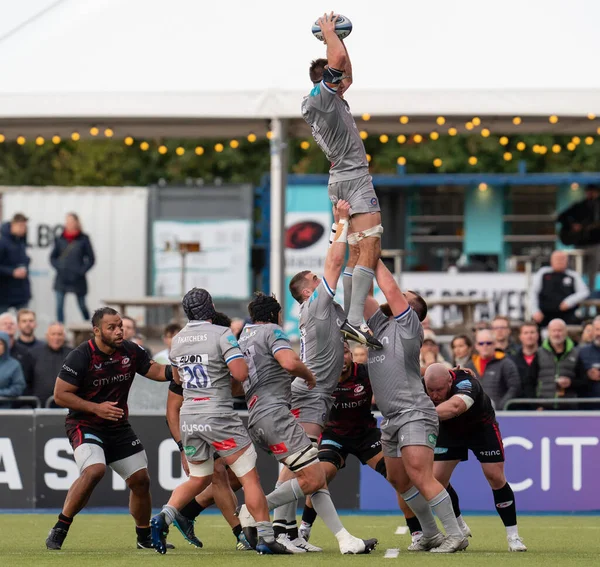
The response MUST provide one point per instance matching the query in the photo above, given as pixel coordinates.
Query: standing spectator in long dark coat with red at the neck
(72, 257)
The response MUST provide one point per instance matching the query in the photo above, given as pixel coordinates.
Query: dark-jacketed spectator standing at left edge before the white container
(15, 290)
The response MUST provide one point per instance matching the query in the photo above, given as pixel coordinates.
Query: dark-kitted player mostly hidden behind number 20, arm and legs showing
(224, 483)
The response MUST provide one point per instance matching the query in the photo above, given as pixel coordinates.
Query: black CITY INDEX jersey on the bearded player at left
(103, 377)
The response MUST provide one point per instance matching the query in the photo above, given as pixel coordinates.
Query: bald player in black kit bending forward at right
(468, 421)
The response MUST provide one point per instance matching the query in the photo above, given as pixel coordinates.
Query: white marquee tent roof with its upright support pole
(149, 68)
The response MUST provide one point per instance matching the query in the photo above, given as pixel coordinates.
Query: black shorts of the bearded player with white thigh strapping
(118, 443)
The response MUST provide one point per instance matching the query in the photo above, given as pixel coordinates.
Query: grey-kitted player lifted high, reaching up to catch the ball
(335, 131)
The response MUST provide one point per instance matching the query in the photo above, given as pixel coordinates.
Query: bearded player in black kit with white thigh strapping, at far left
(93, 384)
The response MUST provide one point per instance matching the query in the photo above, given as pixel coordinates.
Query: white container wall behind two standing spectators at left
(115, 219)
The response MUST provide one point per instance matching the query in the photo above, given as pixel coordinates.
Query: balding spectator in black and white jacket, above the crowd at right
(556, 292)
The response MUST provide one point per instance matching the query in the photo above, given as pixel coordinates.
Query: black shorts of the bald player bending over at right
(485, 442)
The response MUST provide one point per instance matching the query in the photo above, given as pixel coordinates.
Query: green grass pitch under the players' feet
(99, 540)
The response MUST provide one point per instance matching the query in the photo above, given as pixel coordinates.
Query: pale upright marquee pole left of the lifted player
(279, 162)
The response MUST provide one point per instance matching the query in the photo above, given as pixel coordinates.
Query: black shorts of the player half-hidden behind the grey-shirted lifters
(335, 449)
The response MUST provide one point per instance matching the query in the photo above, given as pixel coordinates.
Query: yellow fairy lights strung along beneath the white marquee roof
(472, 127)
